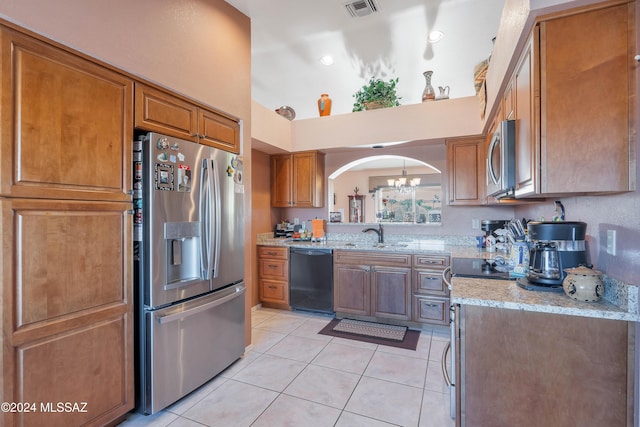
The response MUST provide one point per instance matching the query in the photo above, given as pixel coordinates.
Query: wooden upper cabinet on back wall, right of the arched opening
(466, 171)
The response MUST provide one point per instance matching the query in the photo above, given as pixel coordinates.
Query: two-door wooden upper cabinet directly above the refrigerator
(160, 111)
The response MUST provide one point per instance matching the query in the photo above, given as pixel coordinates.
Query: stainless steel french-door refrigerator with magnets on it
(188, 265)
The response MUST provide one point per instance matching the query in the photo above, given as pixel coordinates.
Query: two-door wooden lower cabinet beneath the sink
(376, 284)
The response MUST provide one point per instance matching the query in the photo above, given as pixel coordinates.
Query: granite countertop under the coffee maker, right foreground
(507, 294)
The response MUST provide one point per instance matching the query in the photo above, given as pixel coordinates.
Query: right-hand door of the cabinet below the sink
(391, 292)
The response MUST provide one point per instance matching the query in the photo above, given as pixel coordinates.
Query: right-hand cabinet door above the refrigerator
(218, 131)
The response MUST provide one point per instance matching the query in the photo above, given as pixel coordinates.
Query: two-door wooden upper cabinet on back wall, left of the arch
(297, 180)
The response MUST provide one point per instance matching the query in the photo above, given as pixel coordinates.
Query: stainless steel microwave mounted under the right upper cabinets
(501, 161)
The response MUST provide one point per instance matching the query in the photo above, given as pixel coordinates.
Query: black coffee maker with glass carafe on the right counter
(556, 245)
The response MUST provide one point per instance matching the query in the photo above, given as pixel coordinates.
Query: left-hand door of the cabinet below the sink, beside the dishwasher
(352, 287)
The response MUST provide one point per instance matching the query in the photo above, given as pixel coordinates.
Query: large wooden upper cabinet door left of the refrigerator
(66, 124)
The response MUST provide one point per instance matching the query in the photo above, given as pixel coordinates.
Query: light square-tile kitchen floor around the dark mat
(292, 376)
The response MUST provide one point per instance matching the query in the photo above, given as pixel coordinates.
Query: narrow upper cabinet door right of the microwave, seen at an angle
(527, 101)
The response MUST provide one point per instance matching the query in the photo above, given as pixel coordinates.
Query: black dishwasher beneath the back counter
(311, 279)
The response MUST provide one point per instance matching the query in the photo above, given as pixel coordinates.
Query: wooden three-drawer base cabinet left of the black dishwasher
(273, 276)
